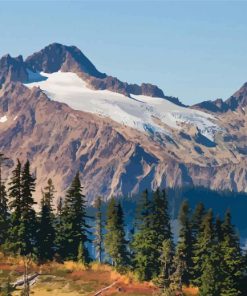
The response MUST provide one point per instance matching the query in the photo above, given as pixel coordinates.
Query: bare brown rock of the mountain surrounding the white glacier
(112, 158)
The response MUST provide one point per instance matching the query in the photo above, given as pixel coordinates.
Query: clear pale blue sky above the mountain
(192, 50)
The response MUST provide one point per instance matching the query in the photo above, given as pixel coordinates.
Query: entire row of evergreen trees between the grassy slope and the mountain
(207, 253)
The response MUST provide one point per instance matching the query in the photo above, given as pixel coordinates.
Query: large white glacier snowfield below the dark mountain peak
(137, 111)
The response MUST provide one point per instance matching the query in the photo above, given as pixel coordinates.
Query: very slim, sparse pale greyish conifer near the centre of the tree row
(98, 241)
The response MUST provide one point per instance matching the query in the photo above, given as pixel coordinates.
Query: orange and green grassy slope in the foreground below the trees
(73, 279)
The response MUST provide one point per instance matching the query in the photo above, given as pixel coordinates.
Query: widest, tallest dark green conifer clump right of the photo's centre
(152, 228)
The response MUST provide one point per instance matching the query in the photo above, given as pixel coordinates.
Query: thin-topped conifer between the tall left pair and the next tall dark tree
(46, 233)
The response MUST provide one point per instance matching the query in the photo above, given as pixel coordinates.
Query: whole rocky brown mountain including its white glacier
(59, 111)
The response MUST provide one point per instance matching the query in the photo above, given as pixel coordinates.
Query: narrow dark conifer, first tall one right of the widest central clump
(184, 246)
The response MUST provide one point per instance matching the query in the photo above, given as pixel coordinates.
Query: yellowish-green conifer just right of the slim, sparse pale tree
(115, 242)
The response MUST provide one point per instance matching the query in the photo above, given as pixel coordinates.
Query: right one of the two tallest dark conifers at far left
(28, 223)
